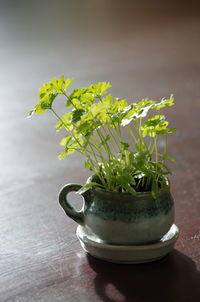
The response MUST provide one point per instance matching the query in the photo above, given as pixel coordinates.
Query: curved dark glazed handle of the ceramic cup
(78, 216)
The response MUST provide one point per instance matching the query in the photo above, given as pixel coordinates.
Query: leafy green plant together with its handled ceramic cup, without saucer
(127, 200)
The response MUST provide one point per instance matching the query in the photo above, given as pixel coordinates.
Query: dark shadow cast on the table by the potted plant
(174, 278)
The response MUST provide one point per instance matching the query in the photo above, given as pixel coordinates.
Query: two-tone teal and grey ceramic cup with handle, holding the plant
(121, 218)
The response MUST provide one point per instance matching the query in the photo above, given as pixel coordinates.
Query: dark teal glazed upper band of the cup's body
(124, 207)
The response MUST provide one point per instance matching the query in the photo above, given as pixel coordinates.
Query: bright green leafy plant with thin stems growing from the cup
(94, 125)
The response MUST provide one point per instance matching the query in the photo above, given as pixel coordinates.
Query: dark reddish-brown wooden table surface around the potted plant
(144, 48)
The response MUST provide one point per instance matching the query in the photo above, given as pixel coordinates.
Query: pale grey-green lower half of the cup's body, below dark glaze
(142, 231)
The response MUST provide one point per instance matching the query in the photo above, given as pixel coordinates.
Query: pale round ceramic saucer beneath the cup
(127, 254)
